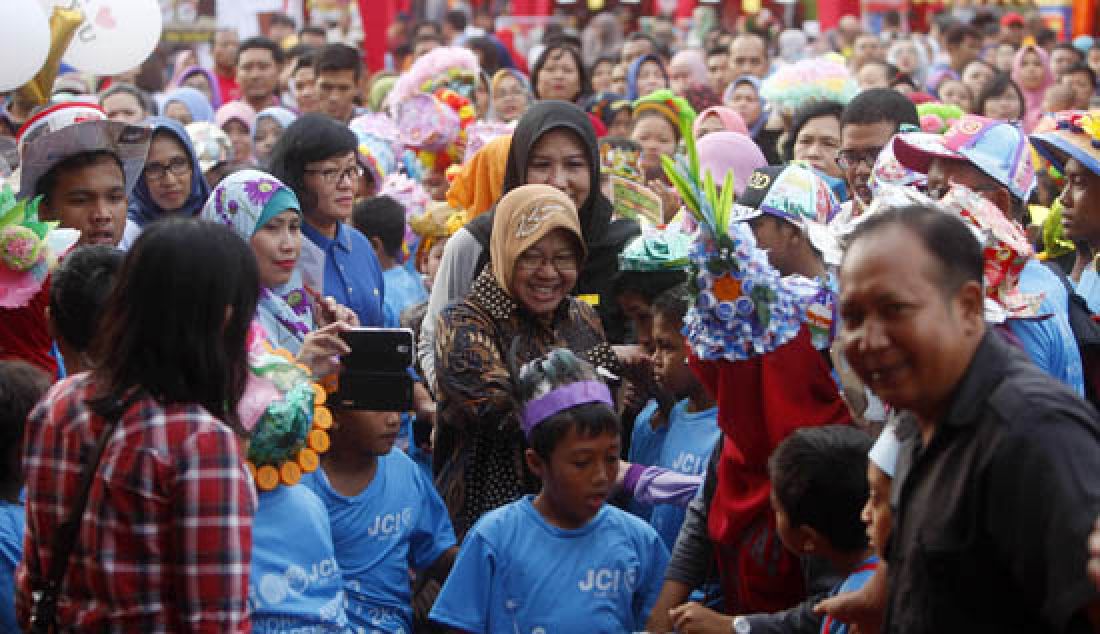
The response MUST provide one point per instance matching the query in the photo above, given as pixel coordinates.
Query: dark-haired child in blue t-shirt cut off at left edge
(21, 386)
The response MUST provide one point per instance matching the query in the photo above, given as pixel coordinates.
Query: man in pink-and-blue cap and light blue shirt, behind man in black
(993, 158)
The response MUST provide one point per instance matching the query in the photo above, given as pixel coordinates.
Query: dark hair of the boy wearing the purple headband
(559, 368)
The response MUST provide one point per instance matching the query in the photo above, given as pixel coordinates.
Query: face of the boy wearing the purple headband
(579, 476)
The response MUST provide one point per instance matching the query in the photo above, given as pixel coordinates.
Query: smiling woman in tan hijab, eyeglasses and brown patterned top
(519, 309)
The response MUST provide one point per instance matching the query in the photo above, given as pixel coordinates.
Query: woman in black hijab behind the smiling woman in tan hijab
(554, 145)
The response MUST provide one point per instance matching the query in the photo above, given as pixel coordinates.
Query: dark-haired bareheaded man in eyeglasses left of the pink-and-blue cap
(867, 125)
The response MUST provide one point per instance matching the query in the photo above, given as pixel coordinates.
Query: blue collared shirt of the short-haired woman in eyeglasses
(353, 276)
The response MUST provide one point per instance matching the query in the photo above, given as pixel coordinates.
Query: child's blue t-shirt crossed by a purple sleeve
(688, 447)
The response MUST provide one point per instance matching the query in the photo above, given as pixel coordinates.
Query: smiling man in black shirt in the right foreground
(998, 479)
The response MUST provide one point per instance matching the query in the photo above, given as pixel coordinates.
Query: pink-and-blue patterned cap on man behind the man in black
(997, 148)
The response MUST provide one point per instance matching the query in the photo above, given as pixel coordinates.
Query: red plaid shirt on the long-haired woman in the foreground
(166, 541)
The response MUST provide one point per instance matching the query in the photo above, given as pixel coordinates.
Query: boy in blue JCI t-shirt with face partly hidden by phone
(387, 518)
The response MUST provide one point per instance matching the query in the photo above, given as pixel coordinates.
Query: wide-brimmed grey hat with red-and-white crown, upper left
(68, 129)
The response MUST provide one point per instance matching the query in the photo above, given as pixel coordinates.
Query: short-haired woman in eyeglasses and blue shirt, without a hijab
(316, 158)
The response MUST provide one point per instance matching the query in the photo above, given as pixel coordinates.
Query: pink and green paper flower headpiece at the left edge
(29, 249)
